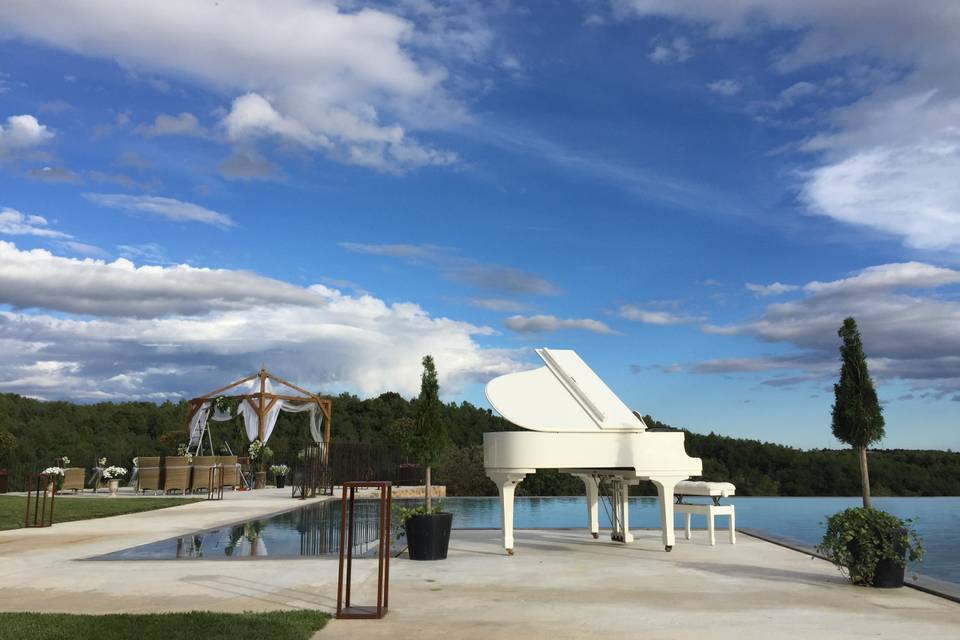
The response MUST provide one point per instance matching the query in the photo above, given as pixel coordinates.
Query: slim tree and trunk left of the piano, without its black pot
(425, 438)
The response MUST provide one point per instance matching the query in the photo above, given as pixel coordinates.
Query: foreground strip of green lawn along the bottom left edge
(274, 625)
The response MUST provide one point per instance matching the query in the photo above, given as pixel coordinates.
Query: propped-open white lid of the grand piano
(564, 395)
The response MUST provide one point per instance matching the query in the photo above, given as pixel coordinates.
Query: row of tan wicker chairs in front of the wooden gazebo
(181, 474)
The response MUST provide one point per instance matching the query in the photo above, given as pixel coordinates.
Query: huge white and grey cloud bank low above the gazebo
(117, 330)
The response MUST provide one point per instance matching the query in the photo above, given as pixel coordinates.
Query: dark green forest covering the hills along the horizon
(44, 431)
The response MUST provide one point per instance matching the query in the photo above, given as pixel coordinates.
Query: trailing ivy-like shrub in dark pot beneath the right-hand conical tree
(870, 546)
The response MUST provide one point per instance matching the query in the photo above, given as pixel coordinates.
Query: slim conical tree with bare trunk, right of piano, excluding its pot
(857, 415)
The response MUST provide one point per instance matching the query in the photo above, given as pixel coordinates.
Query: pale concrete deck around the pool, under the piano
(560, 584)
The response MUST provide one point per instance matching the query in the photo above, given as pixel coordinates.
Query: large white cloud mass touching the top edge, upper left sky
(347, 81)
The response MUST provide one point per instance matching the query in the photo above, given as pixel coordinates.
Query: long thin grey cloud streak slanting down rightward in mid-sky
(508, 280)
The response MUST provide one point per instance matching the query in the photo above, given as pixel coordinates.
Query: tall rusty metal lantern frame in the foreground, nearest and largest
(344, 610)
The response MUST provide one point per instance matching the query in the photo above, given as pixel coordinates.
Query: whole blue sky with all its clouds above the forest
(691, 197)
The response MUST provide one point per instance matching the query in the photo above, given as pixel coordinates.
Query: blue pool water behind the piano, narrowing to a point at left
(313, 530)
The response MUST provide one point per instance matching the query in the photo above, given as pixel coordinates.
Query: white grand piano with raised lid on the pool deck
(578, 425)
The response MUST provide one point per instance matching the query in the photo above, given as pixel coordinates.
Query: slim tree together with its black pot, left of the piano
(427, 527)
